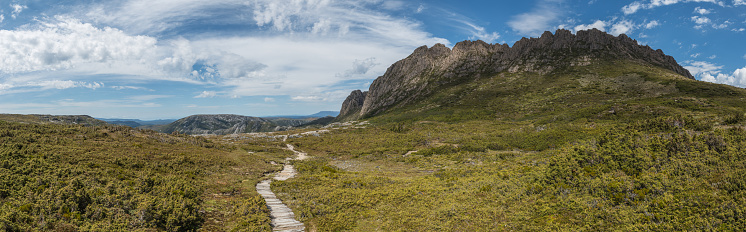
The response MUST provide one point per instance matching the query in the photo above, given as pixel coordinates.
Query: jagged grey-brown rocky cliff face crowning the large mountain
(426, 69)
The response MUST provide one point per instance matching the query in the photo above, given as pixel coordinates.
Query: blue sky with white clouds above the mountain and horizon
(167, 59)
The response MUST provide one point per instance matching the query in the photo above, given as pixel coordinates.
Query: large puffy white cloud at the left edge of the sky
(65, 43)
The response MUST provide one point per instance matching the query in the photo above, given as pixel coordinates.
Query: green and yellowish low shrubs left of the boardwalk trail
(113, 178)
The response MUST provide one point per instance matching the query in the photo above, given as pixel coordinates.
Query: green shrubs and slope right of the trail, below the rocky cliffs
(589, 148)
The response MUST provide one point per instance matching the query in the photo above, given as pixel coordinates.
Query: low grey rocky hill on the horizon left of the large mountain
(220, 124)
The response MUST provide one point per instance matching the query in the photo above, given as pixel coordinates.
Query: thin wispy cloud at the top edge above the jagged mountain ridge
(538, 20)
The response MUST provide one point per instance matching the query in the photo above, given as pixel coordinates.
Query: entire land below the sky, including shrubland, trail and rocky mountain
(566, 132)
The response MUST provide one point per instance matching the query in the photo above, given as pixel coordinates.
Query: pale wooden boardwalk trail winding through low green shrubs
(283, 218)
